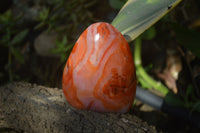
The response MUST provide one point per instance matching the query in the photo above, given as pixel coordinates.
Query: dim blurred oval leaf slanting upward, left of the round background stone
(19, 37)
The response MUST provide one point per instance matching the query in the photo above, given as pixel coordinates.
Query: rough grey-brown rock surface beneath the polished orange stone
(30, 108)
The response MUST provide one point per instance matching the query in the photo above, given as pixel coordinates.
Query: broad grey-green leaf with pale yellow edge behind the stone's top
(138, 15)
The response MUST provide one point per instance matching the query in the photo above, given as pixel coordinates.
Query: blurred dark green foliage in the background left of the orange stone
(60, 16)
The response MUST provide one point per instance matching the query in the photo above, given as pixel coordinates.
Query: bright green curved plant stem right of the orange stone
(142, 73)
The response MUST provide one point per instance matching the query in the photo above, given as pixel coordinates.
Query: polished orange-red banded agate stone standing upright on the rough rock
(100, 74)
